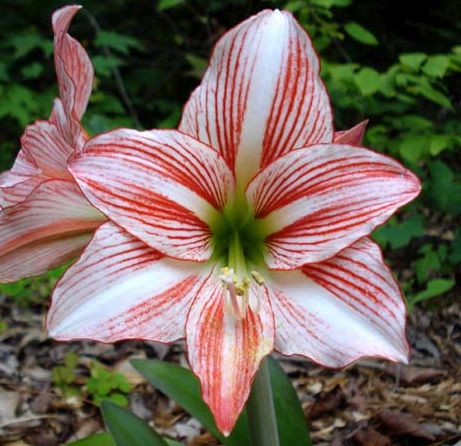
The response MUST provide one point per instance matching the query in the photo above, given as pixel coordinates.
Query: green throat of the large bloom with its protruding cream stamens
(238, 247)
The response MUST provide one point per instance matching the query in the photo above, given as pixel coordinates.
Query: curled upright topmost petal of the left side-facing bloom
(73, 66)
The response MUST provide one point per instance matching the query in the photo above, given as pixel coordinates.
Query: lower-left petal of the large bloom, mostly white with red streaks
(122, 289)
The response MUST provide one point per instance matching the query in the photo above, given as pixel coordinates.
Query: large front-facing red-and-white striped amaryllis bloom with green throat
(243, 232)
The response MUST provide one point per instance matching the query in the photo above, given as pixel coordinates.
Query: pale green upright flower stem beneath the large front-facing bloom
(261, 411)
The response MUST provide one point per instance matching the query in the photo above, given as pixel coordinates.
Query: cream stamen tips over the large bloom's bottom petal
(239, 294)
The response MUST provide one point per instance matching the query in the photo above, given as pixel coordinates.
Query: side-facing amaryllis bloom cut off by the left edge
(45, 220)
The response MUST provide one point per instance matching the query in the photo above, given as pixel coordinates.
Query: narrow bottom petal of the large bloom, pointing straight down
(224, 352)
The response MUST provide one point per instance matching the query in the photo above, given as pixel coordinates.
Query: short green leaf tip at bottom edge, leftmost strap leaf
(127, 429)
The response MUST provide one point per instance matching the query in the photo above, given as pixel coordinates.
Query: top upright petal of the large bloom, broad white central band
(261, 96)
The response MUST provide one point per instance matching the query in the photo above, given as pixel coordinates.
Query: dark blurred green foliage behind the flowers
(397, 67)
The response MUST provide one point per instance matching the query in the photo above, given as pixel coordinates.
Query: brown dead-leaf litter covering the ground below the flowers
(371, 403)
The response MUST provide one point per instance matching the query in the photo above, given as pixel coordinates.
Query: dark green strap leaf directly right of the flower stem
(292, 426)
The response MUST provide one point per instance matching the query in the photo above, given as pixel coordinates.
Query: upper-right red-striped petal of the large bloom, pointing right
(316, 201)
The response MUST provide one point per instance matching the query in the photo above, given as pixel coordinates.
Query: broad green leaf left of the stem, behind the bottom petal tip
(182, 386)
